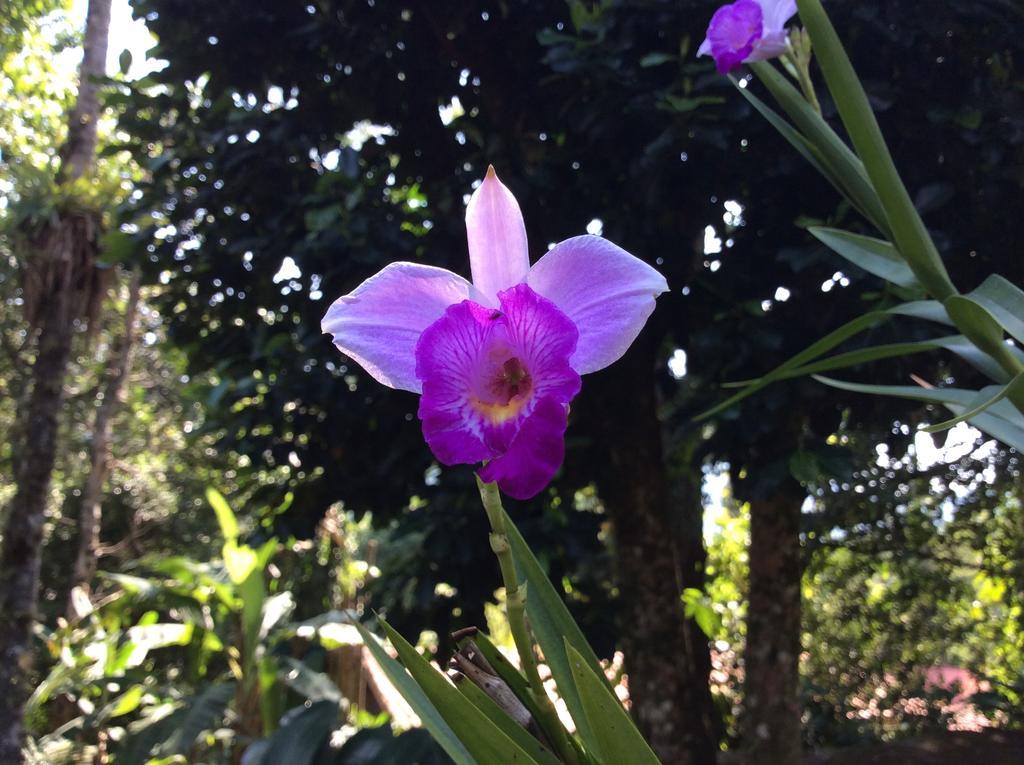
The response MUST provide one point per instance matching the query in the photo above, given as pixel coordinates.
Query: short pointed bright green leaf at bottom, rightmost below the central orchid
(617, 739)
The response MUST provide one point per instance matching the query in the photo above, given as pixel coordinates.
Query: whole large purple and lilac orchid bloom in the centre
(498, 361)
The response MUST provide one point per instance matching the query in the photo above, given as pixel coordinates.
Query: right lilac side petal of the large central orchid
(607, 292)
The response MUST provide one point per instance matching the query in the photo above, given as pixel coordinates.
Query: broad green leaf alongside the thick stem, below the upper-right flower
(844, 166)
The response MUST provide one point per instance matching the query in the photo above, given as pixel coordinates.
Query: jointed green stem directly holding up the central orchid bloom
(516, 602)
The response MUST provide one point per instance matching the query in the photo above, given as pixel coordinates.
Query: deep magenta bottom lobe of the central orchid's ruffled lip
(535, 455)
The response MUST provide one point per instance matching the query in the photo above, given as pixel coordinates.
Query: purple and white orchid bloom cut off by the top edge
(748, 31)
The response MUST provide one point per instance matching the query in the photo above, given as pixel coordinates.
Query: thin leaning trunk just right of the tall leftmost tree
(92, 513)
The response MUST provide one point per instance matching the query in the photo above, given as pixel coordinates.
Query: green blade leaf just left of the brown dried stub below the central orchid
(487, 742)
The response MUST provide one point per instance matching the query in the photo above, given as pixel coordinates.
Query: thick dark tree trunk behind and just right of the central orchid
(667, 656)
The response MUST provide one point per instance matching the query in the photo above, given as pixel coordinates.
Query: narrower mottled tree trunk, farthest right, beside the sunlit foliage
(772, 722)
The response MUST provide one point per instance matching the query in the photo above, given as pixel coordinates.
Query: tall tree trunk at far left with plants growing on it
(60, 285)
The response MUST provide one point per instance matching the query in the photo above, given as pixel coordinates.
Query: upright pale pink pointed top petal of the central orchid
(499, 258)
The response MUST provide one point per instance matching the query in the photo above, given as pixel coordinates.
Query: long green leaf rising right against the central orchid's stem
(553, 627)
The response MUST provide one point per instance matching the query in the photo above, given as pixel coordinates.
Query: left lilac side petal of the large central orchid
(380, 322)
